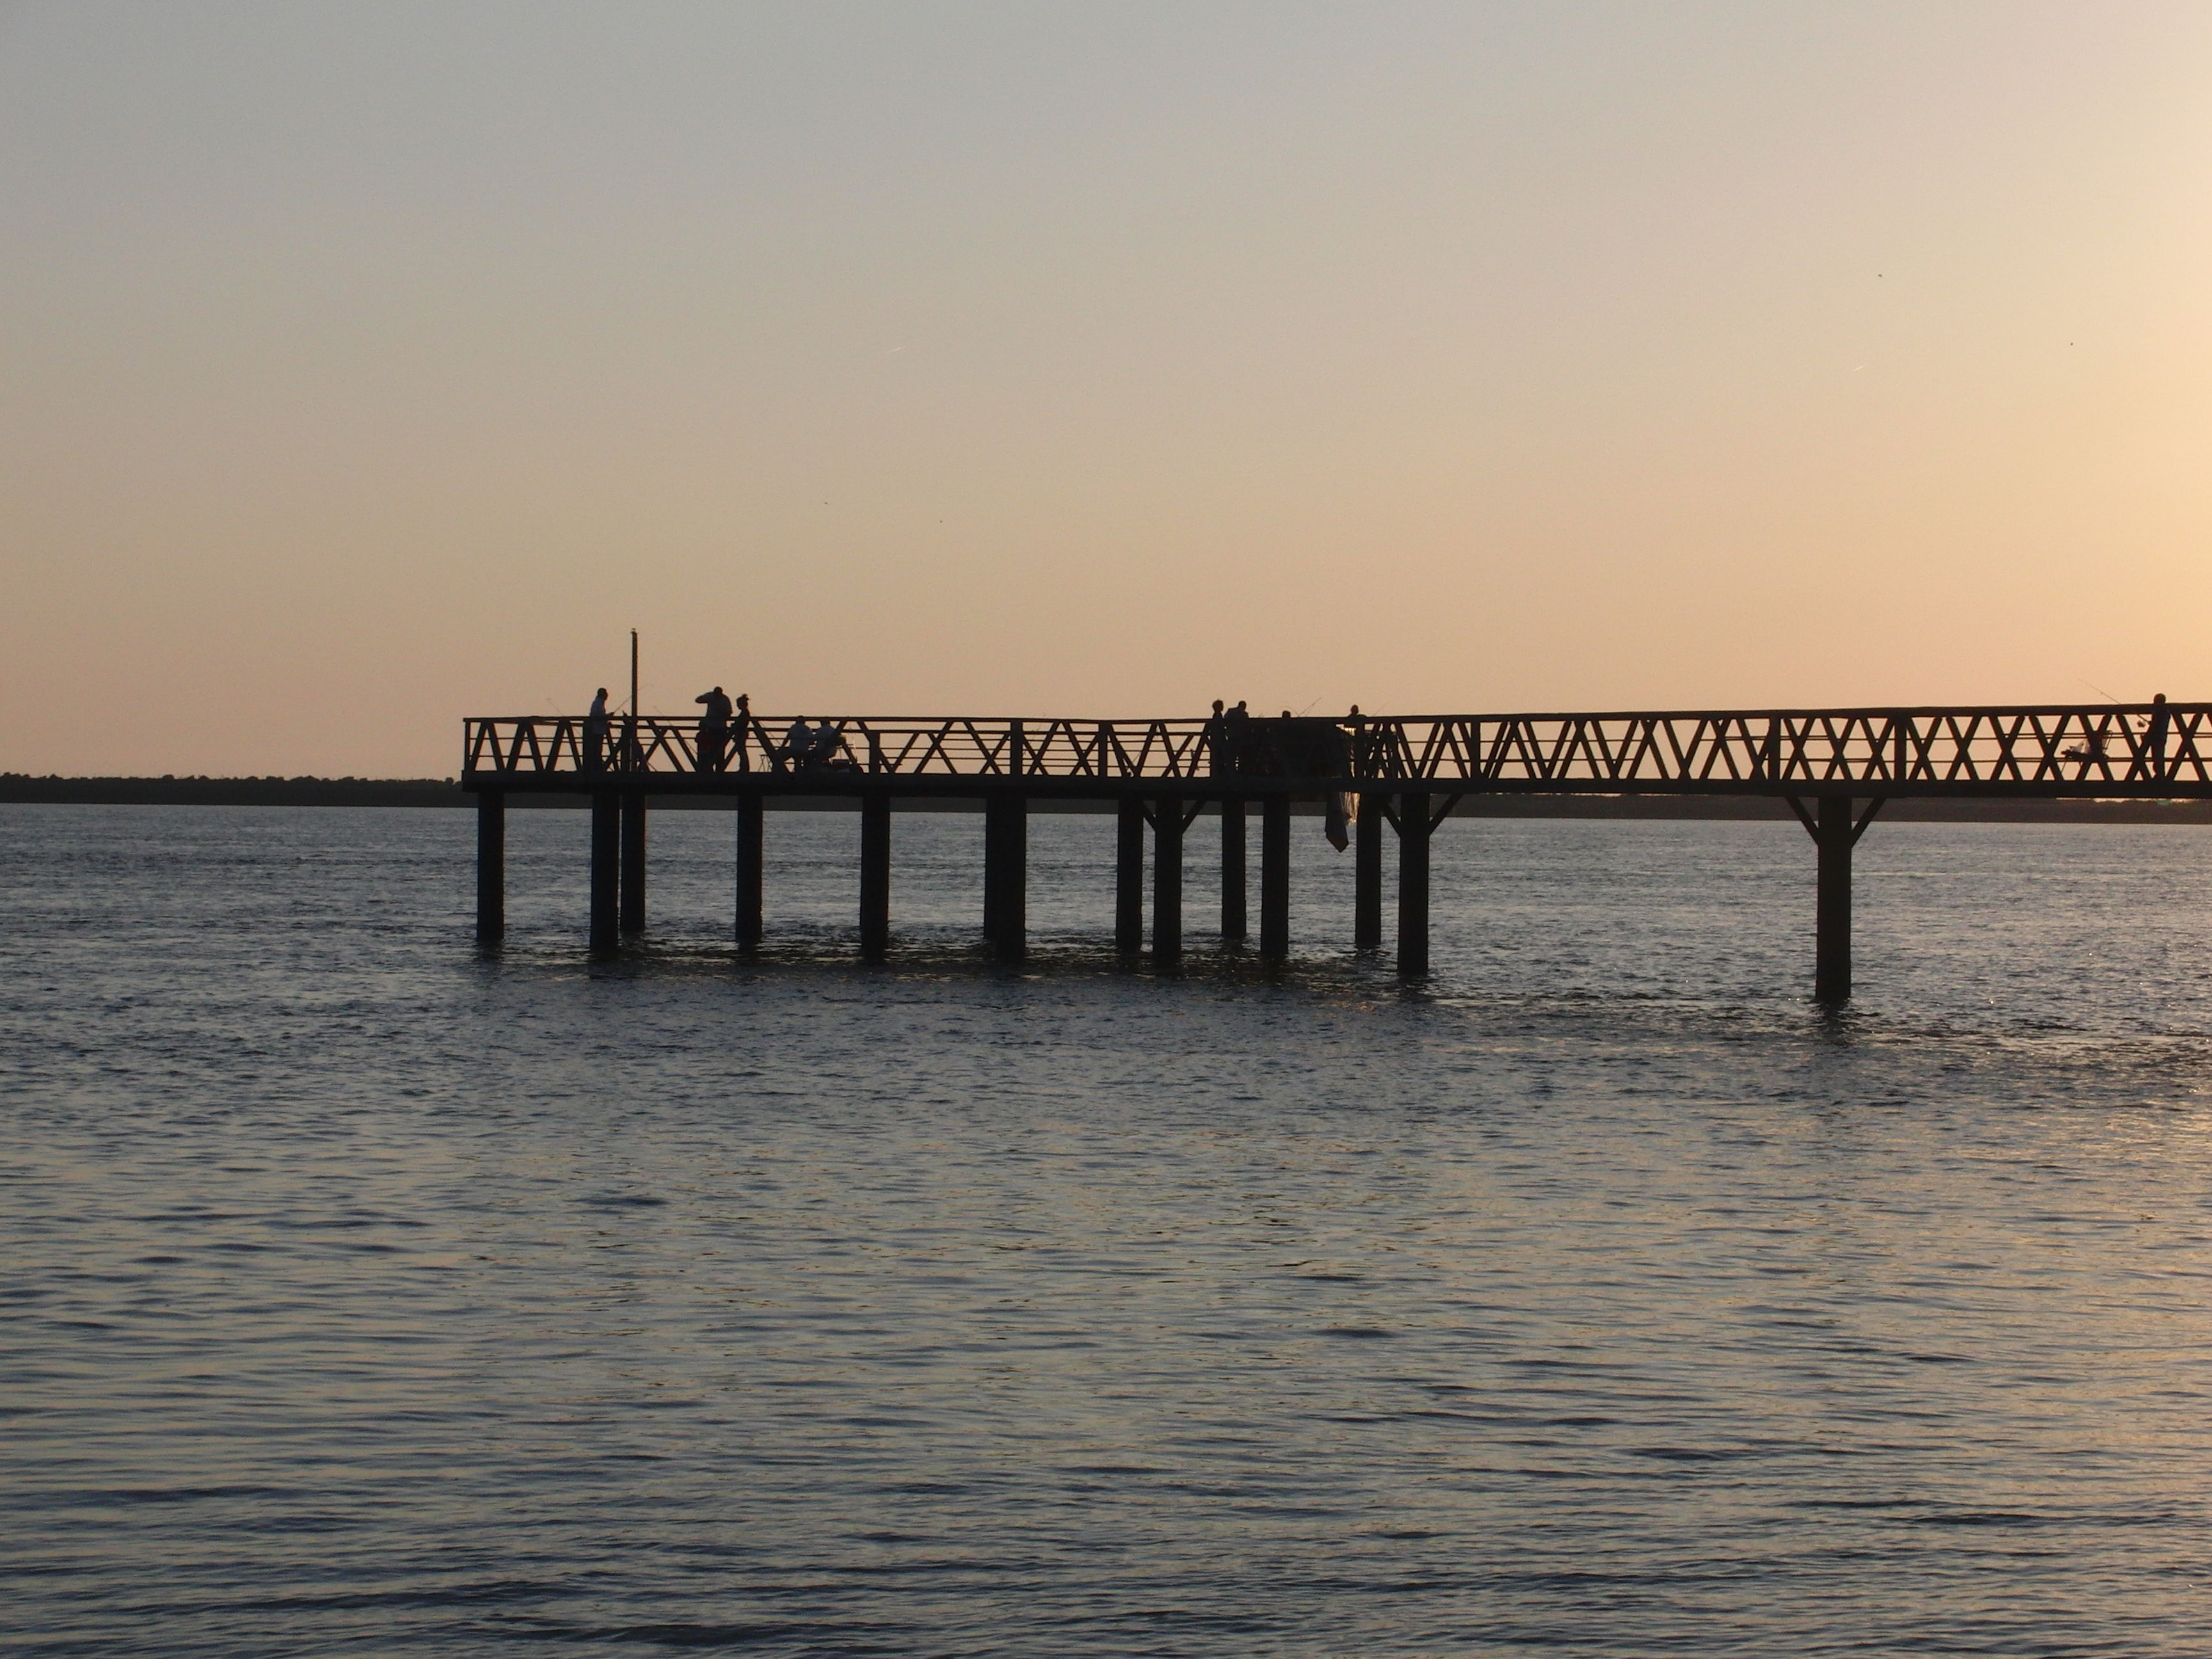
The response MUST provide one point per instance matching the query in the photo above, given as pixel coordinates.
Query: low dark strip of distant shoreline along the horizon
(19, 789)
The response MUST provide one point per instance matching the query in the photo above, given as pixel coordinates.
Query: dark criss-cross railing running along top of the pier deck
(2122, 749)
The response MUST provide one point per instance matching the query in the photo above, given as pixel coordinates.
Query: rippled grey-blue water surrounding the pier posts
(371, 1297)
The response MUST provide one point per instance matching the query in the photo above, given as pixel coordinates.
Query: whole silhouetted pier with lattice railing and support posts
(1399, 775)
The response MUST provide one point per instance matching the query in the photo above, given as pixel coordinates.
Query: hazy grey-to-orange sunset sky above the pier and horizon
(368, 366)
